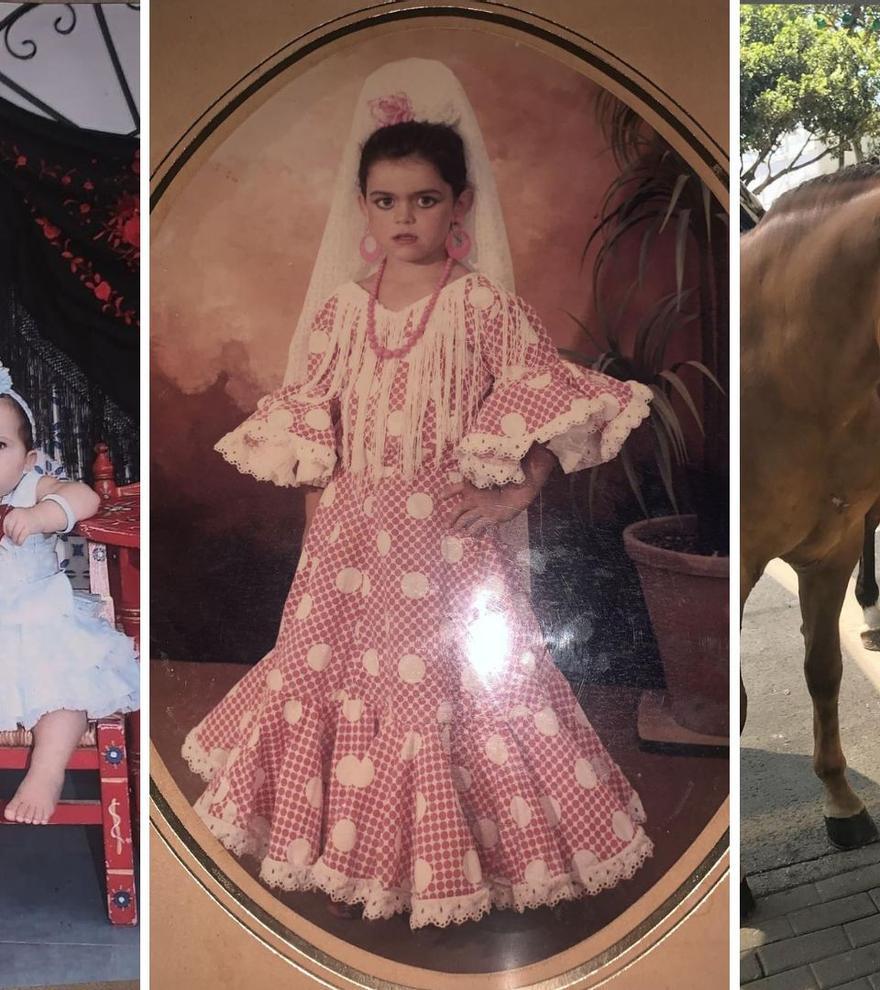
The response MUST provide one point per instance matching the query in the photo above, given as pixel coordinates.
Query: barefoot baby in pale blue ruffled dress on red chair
(61, 664)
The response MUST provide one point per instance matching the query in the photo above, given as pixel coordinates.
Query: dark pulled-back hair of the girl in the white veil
(438, 144)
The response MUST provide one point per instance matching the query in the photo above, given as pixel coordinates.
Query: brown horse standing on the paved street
(810, 428)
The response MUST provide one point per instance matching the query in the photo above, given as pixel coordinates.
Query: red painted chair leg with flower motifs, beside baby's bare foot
(116, 822)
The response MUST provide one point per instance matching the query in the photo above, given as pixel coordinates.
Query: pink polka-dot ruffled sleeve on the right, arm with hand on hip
(581, 415)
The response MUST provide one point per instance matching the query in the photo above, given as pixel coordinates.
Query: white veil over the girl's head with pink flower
(427, 91)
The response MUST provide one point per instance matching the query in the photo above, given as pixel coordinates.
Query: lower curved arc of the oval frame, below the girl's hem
(332, 962)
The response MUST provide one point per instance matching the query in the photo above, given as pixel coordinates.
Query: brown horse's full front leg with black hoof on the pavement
(822, 587)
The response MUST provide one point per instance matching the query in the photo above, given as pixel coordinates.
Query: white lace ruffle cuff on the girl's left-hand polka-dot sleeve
(278, 456)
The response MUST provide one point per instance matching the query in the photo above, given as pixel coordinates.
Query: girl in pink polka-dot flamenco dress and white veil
(408, 744)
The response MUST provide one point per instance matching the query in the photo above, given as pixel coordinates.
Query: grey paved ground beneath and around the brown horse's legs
(817, 924)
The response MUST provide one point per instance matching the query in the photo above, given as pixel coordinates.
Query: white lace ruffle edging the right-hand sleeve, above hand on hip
(488, 459)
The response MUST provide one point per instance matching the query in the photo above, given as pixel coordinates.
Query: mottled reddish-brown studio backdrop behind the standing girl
(231, 260)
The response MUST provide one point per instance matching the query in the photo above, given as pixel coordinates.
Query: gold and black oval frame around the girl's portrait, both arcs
(701, 872)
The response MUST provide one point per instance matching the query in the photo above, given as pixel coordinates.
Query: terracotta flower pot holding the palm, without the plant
(687, 596)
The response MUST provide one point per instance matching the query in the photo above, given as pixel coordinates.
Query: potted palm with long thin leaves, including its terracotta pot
(658, 207)
